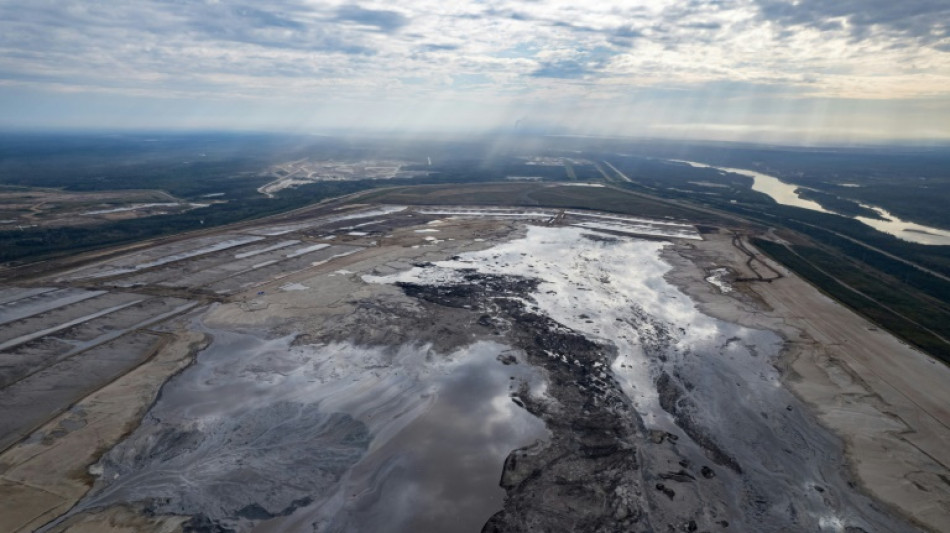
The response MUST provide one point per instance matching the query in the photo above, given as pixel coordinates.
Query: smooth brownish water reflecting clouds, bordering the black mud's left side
(442, 471)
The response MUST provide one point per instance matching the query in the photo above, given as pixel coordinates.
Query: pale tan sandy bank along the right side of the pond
(889, 402)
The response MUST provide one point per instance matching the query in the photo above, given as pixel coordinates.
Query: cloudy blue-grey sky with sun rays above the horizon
(793, 71)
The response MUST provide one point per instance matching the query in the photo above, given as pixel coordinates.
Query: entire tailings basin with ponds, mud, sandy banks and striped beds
(399, 368)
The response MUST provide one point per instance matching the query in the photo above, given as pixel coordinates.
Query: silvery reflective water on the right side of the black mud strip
(788, 474)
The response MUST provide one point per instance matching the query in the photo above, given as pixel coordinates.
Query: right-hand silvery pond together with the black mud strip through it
(660, 415)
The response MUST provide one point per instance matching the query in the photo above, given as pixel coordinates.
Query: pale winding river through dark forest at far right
(785, 194)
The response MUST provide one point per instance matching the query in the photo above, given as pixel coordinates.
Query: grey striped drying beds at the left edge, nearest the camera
(67, 343)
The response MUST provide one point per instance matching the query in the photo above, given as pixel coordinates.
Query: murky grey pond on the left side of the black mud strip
(259, 435)
